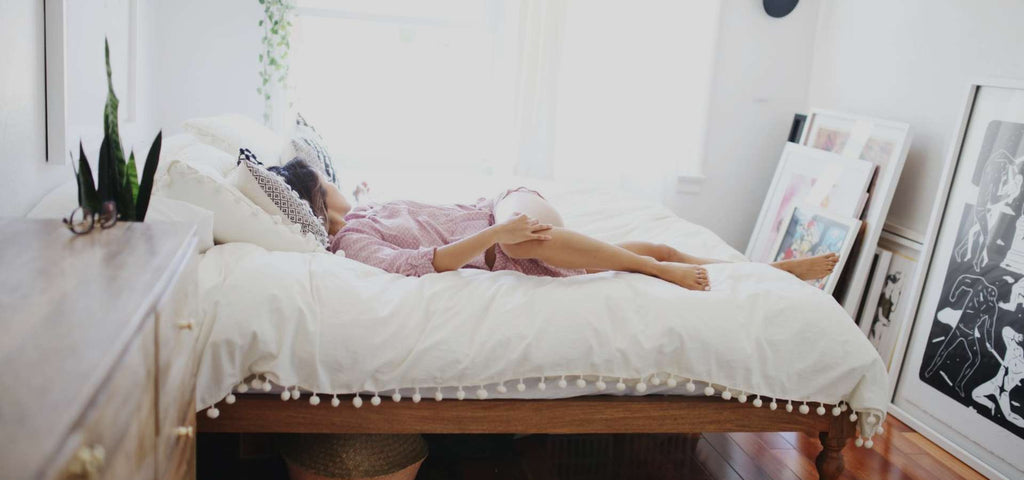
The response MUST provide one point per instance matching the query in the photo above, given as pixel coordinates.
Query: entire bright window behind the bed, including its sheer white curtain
(598, 90)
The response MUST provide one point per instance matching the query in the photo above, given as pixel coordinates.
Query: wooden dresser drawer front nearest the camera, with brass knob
(114, 439)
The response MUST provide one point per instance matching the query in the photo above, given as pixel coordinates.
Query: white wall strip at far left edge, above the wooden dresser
(25, 177)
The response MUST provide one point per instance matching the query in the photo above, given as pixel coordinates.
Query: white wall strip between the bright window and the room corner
(761, 75)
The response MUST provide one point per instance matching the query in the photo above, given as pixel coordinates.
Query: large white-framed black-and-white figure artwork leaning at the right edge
(963, 377)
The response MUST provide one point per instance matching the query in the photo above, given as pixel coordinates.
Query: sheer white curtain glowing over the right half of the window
(615, 93)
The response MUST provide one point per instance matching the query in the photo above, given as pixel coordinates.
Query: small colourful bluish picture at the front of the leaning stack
(809, 232)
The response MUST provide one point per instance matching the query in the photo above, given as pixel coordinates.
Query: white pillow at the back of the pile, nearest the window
(233, 132)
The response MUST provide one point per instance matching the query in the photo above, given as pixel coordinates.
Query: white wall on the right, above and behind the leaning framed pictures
(911, 61)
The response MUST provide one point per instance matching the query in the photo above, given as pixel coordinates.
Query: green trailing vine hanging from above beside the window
(277, 27)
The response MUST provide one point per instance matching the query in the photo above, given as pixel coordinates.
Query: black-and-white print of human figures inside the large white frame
(975, 347)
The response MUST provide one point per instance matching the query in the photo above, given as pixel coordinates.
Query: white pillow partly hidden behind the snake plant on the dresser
(60, 203)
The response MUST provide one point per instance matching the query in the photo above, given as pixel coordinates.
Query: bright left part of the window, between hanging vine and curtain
(397, 85)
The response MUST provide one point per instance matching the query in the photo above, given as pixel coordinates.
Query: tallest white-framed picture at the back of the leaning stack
(885, 145)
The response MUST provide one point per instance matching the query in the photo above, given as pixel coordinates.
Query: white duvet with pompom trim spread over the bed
(328, 325)
